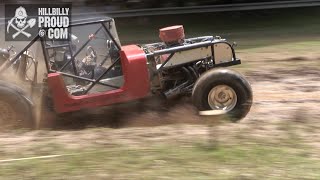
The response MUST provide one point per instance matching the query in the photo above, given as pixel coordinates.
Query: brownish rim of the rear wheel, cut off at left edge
(7, 114)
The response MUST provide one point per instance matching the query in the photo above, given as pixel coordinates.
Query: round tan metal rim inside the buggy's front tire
(222, 97)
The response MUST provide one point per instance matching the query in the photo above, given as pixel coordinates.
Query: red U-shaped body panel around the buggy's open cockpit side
(136, 85)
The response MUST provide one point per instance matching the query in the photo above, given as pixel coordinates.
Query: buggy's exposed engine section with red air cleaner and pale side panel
(177, 62)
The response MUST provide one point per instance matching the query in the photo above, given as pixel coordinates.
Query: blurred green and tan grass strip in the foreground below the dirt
(195, 161)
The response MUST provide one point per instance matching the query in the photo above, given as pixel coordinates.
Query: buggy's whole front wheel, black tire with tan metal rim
(224, 90)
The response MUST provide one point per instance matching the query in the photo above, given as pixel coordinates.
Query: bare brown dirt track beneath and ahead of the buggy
(286, 89)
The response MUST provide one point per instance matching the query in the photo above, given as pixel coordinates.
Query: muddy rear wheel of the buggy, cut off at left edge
(15, 111)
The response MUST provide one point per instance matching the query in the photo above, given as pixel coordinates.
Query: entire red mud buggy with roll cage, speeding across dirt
(92, 69)
